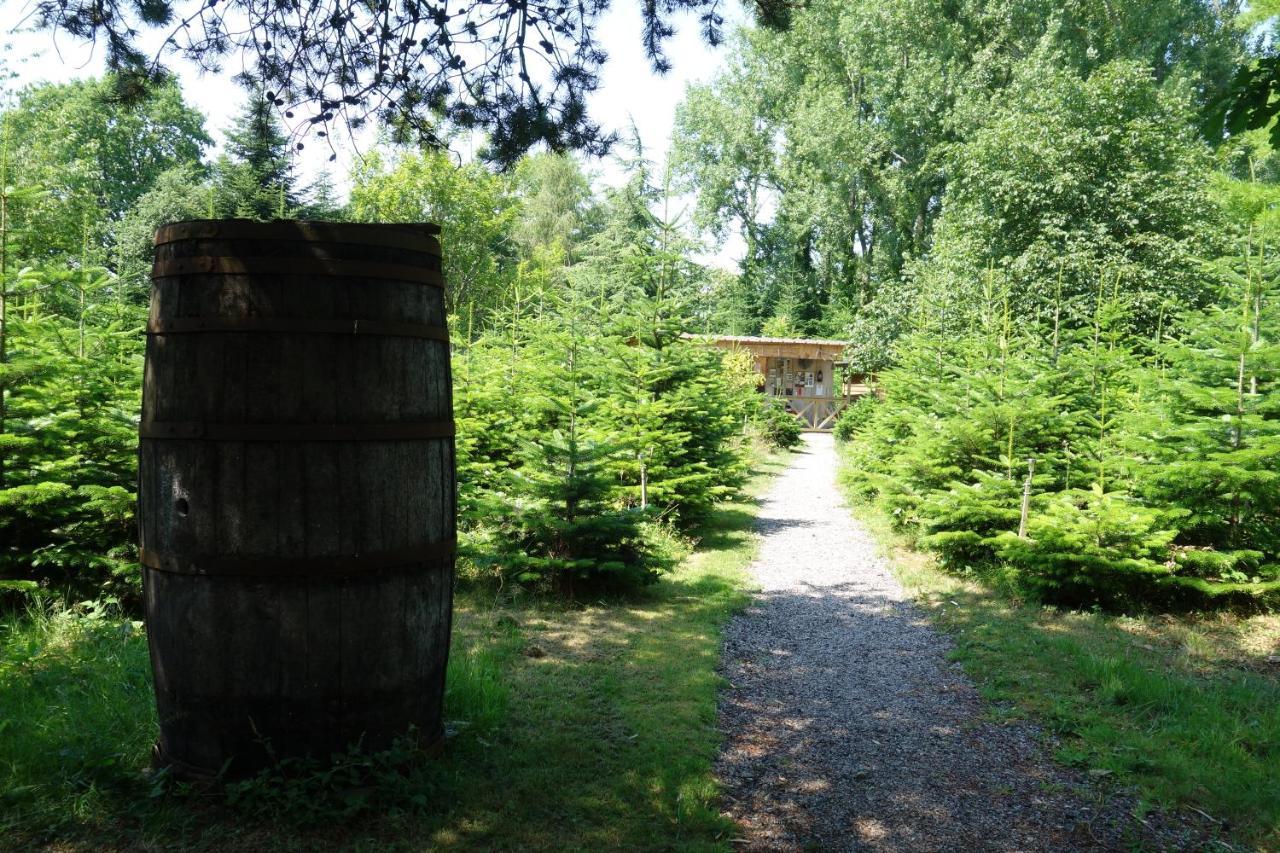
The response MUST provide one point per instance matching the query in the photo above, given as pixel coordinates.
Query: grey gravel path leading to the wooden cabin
(848, 729)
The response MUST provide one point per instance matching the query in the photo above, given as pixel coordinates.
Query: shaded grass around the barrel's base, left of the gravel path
(578, 727)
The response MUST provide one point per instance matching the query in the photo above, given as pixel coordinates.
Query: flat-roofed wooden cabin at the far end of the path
(810, 376)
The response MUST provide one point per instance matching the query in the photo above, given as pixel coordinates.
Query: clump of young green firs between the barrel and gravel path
(587, 422)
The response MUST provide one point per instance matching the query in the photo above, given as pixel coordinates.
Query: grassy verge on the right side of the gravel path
(1187, 709)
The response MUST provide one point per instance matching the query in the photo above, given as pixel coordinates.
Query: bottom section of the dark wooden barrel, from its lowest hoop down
(223, 714)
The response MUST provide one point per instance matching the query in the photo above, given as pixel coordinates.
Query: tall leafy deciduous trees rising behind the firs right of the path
(881, 148)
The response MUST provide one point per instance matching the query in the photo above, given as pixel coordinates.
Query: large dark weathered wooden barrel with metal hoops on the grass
(296, 490)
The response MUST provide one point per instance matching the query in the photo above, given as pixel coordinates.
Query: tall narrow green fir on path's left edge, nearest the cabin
(676, 413)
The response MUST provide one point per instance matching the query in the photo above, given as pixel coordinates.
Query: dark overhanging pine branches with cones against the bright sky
(520, 70)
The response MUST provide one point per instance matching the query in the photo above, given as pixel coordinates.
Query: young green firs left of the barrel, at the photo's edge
(74, 382)
